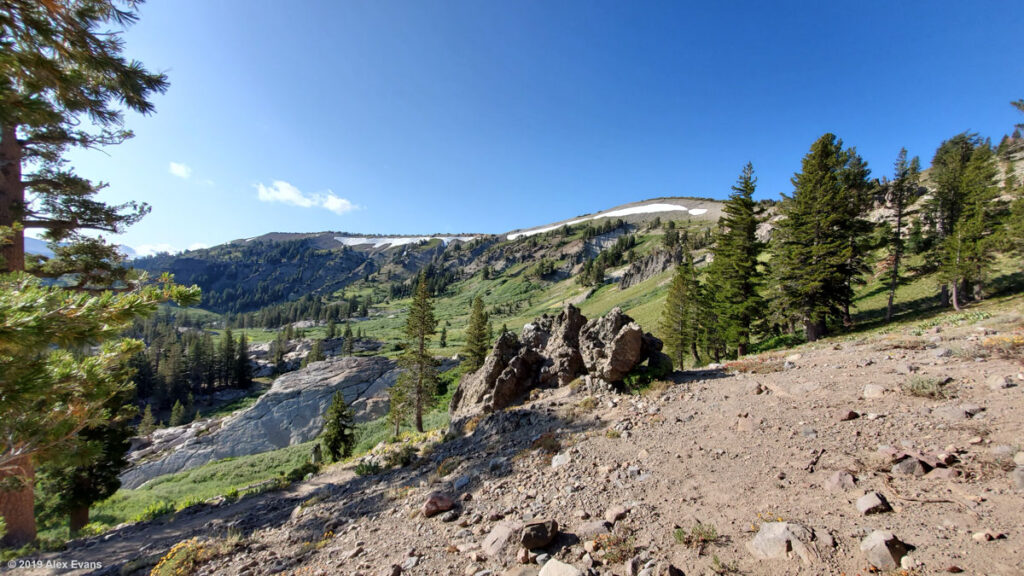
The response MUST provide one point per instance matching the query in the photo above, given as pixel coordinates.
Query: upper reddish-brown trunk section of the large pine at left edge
(12, 199)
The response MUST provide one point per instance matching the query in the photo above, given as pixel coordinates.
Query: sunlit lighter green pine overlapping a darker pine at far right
(967, 252)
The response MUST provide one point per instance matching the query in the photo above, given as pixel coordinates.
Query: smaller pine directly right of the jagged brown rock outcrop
(679, 317)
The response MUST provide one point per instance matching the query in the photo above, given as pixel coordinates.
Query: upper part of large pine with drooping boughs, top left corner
(66, 85)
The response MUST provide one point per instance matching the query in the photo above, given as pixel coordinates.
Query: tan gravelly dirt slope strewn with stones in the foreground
(819, 461)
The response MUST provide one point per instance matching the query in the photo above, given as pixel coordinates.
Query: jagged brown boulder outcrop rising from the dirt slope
(553, 352)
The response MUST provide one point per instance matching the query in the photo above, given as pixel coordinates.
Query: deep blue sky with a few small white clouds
(379, 116)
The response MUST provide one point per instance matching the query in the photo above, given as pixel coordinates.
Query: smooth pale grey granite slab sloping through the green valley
(291, 413)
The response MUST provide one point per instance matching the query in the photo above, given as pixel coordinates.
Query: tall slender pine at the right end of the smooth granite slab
(419, 381)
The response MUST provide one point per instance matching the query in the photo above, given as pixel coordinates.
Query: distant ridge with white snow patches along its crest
(249, 274)
